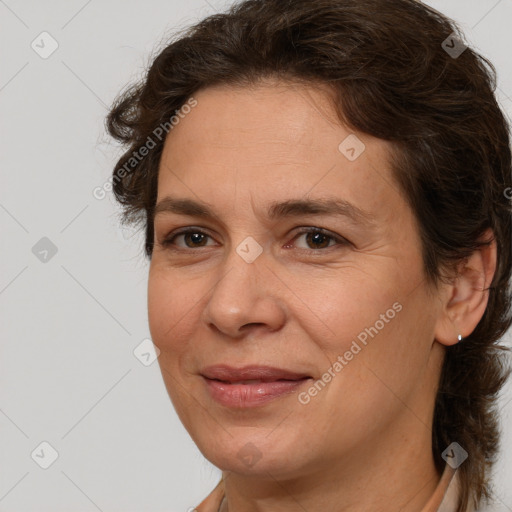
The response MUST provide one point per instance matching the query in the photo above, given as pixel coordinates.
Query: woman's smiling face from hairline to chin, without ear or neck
(347, 306)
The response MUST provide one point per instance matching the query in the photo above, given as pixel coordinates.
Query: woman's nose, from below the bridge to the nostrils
(245, 298)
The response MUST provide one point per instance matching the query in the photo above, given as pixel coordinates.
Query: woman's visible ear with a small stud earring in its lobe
(465, 299)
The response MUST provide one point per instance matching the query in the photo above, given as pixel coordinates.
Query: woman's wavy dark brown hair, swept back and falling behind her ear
(389, 66)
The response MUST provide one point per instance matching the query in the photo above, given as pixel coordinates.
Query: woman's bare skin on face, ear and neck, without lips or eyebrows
(364, 442)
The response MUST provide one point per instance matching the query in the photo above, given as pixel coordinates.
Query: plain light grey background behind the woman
(68, 375)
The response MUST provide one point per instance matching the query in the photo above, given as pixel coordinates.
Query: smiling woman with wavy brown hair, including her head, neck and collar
(323, 188)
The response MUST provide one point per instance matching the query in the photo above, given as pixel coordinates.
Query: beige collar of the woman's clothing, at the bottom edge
(444, 498)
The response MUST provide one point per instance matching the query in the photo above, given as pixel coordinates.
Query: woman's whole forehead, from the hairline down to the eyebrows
(273, 139)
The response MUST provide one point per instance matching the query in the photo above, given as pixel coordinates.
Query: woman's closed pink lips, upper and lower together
(229, 387)
